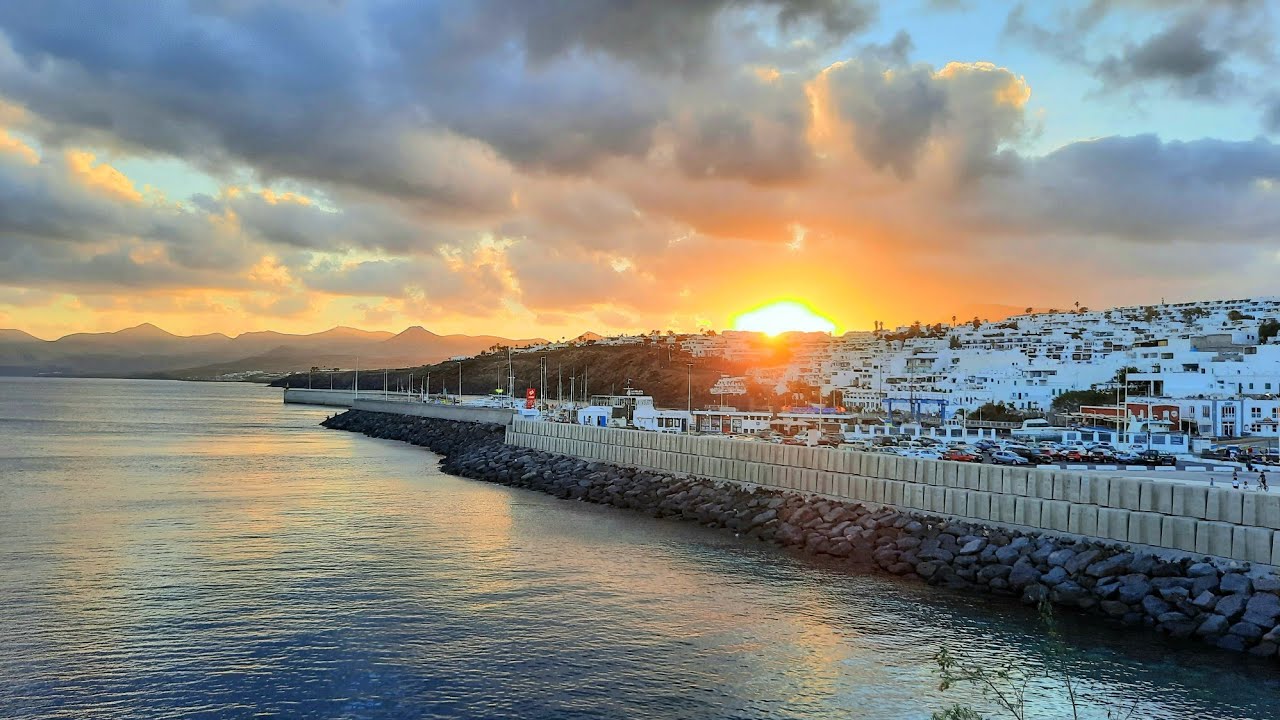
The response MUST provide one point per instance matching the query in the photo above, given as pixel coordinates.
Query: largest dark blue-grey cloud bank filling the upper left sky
(348, 93)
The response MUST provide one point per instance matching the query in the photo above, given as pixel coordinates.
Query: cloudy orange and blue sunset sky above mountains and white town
(547, 168)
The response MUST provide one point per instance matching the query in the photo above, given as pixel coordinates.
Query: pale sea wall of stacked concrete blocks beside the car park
(1190, 518)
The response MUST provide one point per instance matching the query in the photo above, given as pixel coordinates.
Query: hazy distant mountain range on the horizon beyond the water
(149, 352)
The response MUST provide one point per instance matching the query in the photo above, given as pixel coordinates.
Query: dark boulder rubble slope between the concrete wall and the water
(1223, 604)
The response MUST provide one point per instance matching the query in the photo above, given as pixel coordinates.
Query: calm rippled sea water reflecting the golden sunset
(173, 550)
